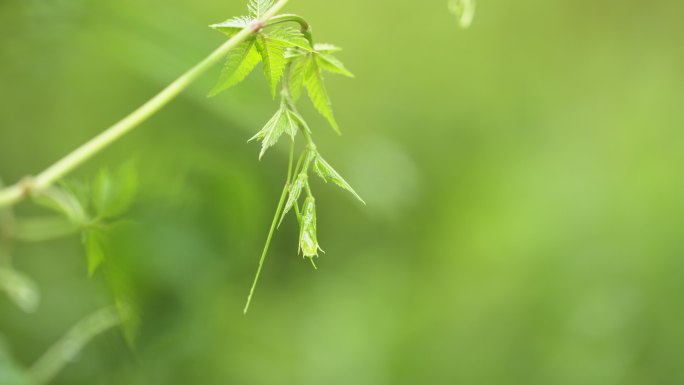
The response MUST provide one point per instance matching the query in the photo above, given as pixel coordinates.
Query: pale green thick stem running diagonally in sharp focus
(14, 194)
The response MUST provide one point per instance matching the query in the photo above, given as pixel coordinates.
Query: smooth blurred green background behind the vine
(524, 184)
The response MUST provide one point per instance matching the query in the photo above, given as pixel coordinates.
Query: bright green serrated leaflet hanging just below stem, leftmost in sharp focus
(240, 61)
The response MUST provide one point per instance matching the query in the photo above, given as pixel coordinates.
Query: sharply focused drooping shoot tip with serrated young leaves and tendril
(289, 58)
